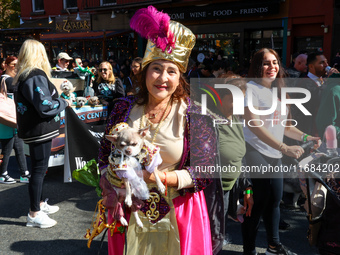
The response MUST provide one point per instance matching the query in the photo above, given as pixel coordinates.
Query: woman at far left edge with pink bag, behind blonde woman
(9, 136)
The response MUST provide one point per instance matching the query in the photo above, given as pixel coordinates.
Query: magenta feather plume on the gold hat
(154, 26)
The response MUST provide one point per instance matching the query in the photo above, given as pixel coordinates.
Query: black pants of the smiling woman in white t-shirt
(267, 197)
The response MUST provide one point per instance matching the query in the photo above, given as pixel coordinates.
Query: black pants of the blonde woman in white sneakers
(40, 154)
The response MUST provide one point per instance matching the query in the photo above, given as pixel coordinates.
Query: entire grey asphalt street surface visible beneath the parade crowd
(77, 203)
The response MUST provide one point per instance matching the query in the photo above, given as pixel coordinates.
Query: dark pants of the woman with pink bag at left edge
(18, 145)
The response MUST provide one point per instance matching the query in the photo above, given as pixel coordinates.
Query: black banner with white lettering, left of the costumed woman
(82, 139)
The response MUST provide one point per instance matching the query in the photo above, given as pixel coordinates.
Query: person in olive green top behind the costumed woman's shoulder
(231, 136)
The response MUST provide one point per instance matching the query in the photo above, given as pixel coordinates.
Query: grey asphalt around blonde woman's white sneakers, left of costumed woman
(77, 203)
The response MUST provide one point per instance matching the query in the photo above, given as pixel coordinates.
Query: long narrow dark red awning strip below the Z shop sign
(81, 35)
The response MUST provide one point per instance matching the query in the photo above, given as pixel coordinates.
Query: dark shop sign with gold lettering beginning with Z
(71, 24)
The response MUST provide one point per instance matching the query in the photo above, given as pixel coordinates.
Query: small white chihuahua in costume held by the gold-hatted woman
(131, 151)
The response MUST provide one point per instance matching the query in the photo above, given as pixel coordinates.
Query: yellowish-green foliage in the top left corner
(9, 13)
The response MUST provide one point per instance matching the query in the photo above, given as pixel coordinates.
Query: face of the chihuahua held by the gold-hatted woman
(129, 141)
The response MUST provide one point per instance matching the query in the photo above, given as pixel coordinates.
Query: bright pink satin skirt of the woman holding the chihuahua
(193, 226)
